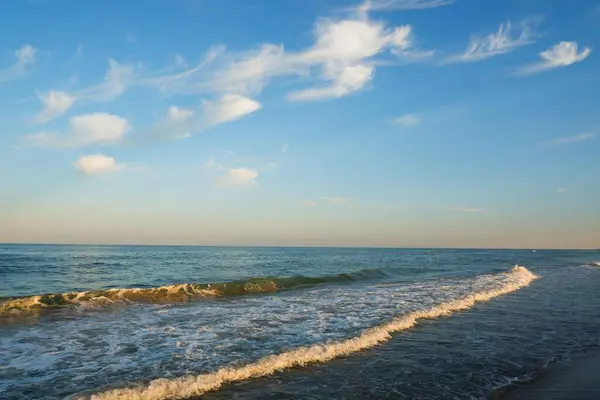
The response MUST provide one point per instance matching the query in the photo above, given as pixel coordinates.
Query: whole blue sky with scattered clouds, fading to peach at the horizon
(393, 123)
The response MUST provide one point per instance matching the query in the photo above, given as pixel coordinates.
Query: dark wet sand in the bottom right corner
(578, 379)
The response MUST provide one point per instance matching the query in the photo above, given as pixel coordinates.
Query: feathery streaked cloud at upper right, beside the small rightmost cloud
(505, 40)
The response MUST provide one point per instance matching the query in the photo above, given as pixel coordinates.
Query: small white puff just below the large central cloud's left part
(228, 108)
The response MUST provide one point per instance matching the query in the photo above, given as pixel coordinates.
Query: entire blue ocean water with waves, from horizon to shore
(127, 322)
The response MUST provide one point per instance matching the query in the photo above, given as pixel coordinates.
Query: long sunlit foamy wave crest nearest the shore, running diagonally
(503, 283)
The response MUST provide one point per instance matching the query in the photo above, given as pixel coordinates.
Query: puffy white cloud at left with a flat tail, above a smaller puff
(85, 130)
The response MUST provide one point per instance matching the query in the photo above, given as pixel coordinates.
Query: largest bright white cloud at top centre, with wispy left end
(342, 57)
